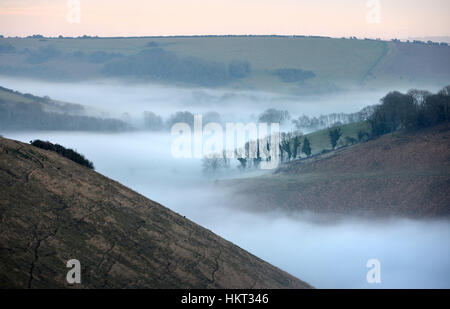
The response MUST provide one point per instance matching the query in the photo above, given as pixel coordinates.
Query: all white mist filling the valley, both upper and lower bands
(413, 254)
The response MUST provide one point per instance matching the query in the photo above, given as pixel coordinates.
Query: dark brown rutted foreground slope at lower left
(53, 210)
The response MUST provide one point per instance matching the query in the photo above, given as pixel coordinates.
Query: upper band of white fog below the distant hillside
(113, 99)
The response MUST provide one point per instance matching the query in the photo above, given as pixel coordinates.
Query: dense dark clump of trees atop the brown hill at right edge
(411, 111)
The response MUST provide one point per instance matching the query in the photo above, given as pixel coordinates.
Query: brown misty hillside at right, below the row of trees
(400, 174)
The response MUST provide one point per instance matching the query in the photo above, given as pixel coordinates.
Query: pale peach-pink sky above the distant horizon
(361, 18)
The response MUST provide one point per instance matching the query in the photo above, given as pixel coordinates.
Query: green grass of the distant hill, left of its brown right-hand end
(337, 61)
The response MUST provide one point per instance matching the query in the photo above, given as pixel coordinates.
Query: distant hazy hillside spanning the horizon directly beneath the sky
(336, 63)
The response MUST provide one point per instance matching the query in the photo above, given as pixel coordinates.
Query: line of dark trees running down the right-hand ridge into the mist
(417, 109)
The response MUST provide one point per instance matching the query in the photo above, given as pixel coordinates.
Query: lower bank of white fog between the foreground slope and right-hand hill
(413, 254)
